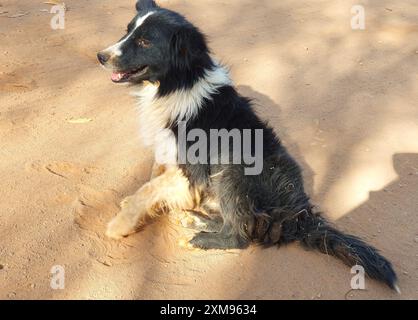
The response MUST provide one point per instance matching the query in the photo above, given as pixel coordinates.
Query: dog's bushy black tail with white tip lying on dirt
(351, 250)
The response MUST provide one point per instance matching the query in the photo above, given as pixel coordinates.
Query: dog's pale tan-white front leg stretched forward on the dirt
(169, 190)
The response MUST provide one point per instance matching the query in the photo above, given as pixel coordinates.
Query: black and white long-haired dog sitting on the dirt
(166, 59)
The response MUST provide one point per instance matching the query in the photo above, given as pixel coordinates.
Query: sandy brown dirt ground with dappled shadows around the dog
(345, 103)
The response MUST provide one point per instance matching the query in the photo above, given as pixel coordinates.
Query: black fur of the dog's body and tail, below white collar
(271, 208)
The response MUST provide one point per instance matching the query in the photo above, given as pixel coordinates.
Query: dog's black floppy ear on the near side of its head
(188, 46)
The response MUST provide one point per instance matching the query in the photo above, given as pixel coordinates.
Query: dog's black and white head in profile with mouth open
(159, 45)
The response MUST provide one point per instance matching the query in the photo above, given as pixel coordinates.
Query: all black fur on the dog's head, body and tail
(271, 208)
